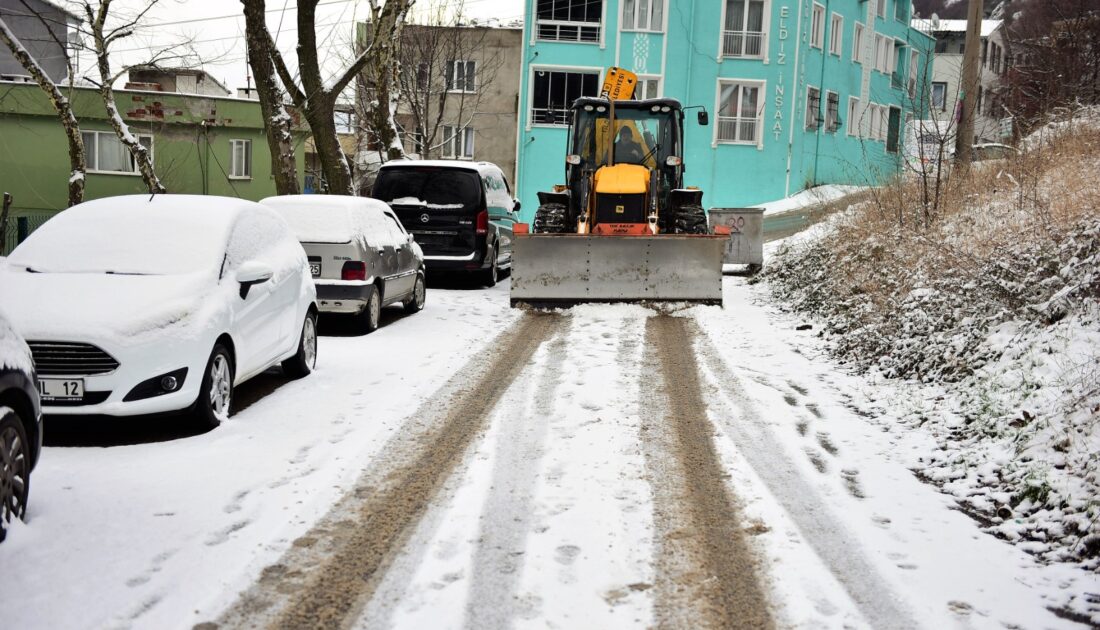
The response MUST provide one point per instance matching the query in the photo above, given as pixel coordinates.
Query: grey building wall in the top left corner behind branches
(37, 38)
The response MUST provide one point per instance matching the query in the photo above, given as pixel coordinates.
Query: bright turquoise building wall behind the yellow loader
(686, 56)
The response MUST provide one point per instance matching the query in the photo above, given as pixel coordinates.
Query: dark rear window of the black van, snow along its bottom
(435, 187)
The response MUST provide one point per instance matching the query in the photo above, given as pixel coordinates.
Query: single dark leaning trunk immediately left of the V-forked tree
(278, 121)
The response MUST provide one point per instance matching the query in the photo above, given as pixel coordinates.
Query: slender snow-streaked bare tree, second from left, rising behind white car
(104, 37)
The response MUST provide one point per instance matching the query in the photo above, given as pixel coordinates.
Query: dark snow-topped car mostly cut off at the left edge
(20, 425)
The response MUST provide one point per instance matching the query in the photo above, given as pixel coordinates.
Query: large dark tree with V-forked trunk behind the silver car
(315, 97)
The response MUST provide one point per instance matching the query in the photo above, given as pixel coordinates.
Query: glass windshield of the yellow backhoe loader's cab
(643, 136)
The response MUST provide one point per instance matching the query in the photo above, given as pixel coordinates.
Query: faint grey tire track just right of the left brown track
(508, 514)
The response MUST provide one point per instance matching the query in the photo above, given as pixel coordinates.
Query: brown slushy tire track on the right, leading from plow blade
(707, 573)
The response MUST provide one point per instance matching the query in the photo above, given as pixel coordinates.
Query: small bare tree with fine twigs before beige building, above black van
(447, 67)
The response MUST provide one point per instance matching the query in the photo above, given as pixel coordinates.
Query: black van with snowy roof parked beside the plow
(460, 213)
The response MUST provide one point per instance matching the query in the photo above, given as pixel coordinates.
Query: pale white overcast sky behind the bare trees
(217, 29)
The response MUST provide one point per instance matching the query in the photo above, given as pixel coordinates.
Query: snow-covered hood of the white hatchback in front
(117, 310)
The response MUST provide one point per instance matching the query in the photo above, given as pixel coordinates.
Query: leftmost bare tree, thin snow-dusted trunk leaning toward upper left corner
(61, 103)
